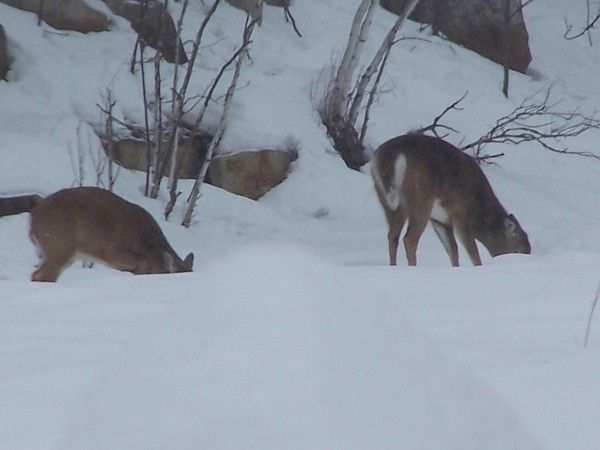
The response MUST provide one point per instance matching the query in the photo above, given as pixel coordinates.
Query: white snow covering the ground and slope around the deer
(293, 333)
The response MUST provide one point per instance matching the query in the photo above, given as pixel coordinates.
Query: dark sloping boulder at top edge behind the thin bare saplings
(154, 25)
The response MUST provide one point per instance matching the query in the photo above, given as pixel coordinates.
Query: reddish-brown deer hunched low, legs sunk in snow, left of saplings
(96, 225)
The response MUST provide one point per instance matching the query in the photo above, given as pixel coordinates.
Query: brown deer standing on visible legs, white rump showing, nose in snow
(423, 179)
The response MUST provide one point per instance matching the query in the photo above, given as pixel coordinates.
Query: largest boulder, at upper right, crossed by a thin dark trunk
(475, 24)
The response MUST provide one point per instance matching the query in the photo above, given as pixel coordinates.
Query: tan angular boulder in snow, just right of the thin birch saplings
(250, 173)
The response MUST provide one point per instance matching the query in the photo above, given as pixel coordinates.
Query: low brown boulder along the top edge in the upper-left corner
(64, 14)
